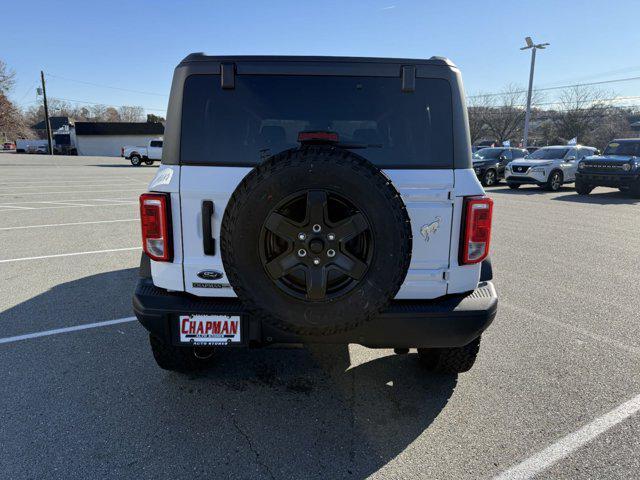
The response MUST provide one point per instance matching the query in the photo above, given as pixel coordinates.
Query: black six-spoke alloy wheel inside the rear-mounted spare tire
(316, 245)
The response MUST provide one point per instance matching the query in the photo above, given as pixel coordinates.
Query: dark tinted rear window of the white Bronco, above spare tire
(264, 114)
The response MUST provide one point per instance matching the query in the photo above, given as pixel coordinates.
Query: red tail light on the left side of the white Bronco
(155, 216)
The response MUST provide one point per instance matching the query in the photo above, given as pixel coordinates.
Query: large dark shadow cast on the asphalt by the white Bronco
(309, 412)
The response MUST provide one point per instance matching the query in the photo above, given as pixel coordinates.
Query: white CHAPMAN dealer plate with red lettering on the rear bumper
(209, 329)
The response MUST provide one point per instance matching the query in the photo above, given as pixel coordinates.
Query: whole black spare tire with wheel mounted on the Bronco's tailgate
(316, 240)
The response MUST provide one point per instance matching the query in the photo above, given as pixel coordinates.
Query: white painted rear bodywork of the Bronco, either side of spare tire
(433, 199)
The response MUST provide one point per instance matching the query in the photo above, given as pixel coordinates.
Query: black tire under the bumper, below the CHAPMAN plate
(180, 359)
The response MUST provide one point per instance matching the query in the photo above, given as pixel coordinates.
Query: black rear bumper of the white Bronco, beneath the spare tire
(450, 321)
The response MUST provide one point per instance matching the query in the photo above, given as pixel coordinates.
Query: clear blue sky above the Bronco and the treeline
(136, 44)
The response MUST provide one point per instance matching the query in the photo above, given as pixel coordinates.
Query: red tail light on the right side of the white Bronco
(476, 235)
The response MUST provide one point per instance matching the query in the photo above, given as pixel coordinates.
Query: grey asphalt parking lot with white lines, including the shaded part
(554, 391)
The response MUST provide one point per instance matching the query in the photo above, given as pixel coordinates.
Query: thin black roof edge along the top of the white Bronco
(201, 57)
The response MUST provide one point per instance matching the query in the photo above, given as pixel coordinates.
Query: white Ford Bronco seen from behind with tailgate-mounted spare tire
(316, 199)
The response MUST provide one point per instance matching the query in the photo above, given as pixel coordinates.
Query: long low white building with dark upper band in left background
(107, 138)
